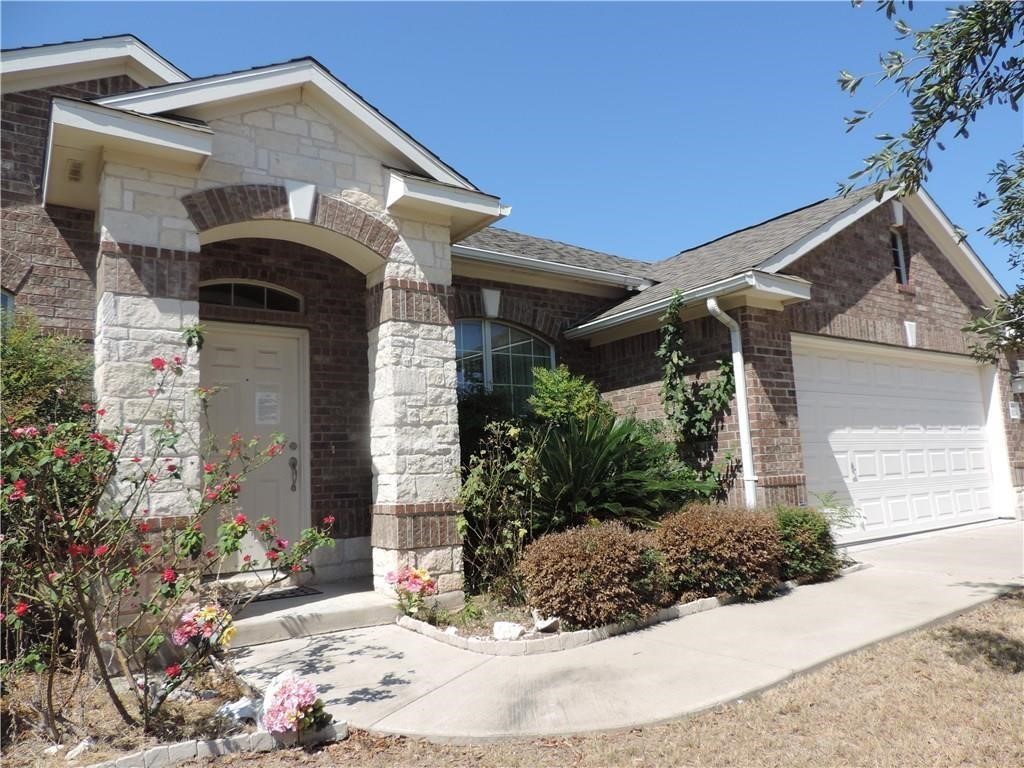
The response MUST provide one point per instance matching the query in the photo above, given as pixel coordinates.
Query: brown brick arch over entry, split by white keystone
(224, 206)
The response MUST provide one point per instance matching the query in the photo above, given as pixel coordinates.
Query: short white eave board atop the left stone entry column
(107, 122)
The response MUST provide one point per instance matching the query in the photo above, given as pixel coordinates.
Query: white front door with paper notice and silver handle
(260, 373)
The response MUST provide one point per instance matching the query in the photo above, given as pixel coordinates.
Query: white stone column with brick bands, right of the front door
(414, 431)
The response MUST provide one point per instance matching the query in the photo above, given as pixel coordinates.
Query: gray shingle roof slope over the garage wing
(738, 252)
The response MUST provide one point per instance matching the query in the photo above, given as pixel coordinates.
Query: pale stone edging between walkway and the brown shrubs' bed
(568, 641)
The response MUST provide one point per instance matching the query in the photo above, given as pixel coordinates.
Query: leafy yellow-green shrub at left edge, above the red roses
(45, 378)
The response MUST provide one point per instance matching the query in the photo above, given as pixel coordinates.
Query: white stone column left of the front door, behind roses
(147, 291)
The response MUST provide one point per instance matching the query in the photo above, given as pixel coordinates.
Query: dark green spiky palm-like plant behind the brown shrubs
(601, 470)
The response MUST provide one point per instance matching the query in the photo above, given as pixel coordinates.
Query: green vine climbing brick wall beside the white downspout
(696, 408)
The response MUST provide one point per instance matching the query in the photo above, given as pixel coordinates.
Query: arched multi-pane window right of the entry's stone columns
(500, 358)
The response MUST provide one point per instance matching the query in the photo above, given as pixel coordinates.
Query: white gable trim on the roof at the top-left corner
(36, 63)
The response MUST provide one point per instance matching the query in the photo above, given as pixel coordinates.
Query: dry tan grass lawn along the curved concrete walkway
(952, 696)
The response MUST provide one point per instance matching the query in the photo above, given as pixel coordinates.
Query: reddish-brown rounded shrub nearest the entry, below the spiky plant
(594, 575)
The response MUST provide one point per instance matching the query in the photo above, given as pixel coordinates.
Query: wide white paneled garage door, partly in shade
(902, 437)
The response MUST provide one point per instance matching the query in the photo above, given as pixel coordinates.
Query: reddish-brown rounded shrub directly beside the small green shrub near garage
(712, 550)
